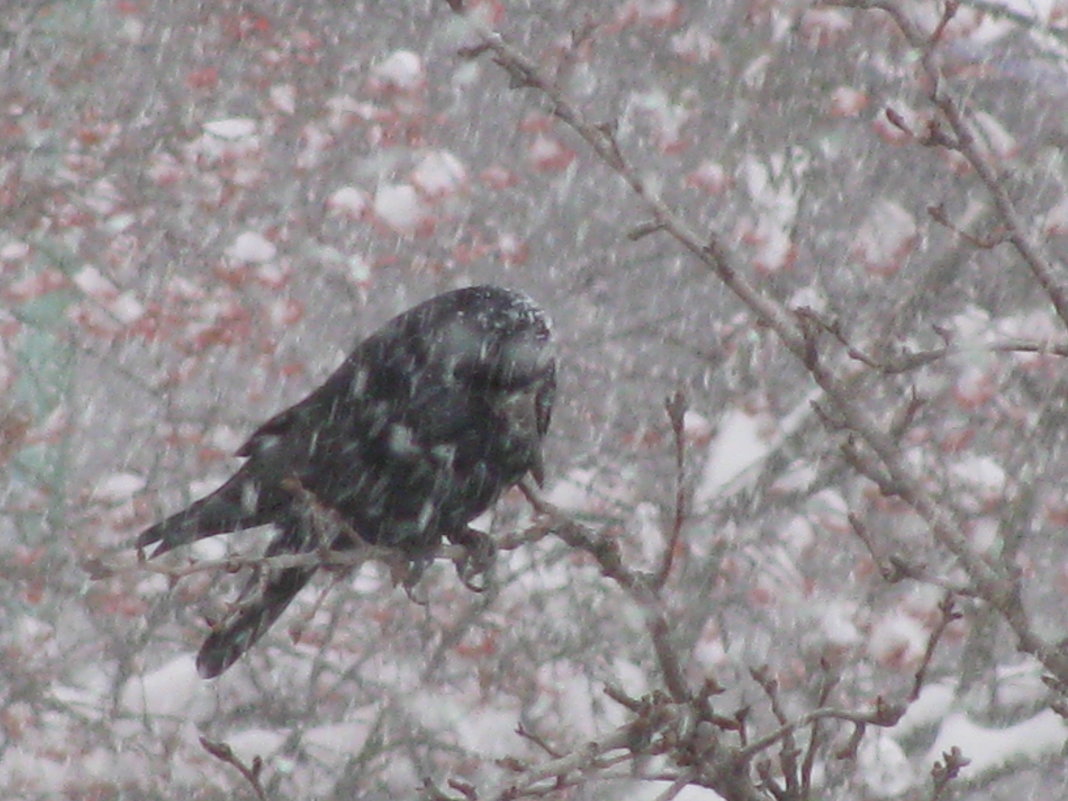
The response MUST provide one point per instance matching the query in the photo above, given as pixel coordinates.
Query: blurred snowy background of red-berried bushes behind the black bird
(205, 206)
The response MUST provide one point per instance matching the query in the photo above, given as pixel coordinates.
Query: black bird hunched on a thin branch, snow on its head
(419, 432)
